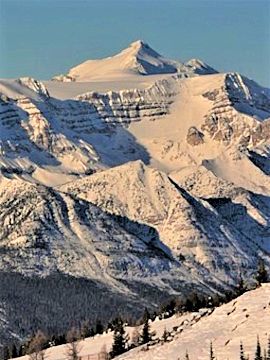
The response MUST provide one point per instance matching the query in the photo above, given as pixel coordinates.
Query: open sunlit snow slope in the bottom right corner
(241, 320)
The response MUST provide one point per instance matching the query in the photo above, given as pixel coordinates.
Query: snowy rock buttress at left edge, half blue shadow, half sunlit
(31, 139)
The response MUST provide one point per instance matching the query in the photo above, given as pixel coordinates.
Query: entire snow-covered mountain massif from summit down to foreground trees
(165, 184)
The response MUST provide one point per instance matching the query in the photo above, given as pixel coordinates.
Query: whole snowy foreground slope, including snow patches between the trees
(242, 319)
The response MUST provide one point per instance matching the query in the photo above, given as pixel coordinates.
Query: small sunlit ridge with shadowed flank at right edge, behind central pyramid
(245, 210)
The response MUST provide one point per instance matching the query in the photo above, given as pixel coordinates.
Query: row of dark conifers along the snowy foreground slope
(36, 345)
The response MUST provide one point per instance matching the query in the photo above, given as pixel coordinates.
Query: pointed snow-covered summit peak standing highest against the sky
(135, 60)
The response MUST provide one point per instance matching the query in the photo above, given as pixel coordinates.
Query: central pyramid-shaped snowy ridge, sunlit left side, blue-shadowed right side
(186, 225)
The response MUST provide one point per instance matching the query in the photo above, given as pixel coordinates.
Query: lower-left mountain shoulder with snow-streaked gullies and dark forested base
(60, 255)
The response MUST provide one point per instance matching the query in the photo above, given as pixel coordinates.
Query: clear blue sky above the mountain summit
(41, 38)
